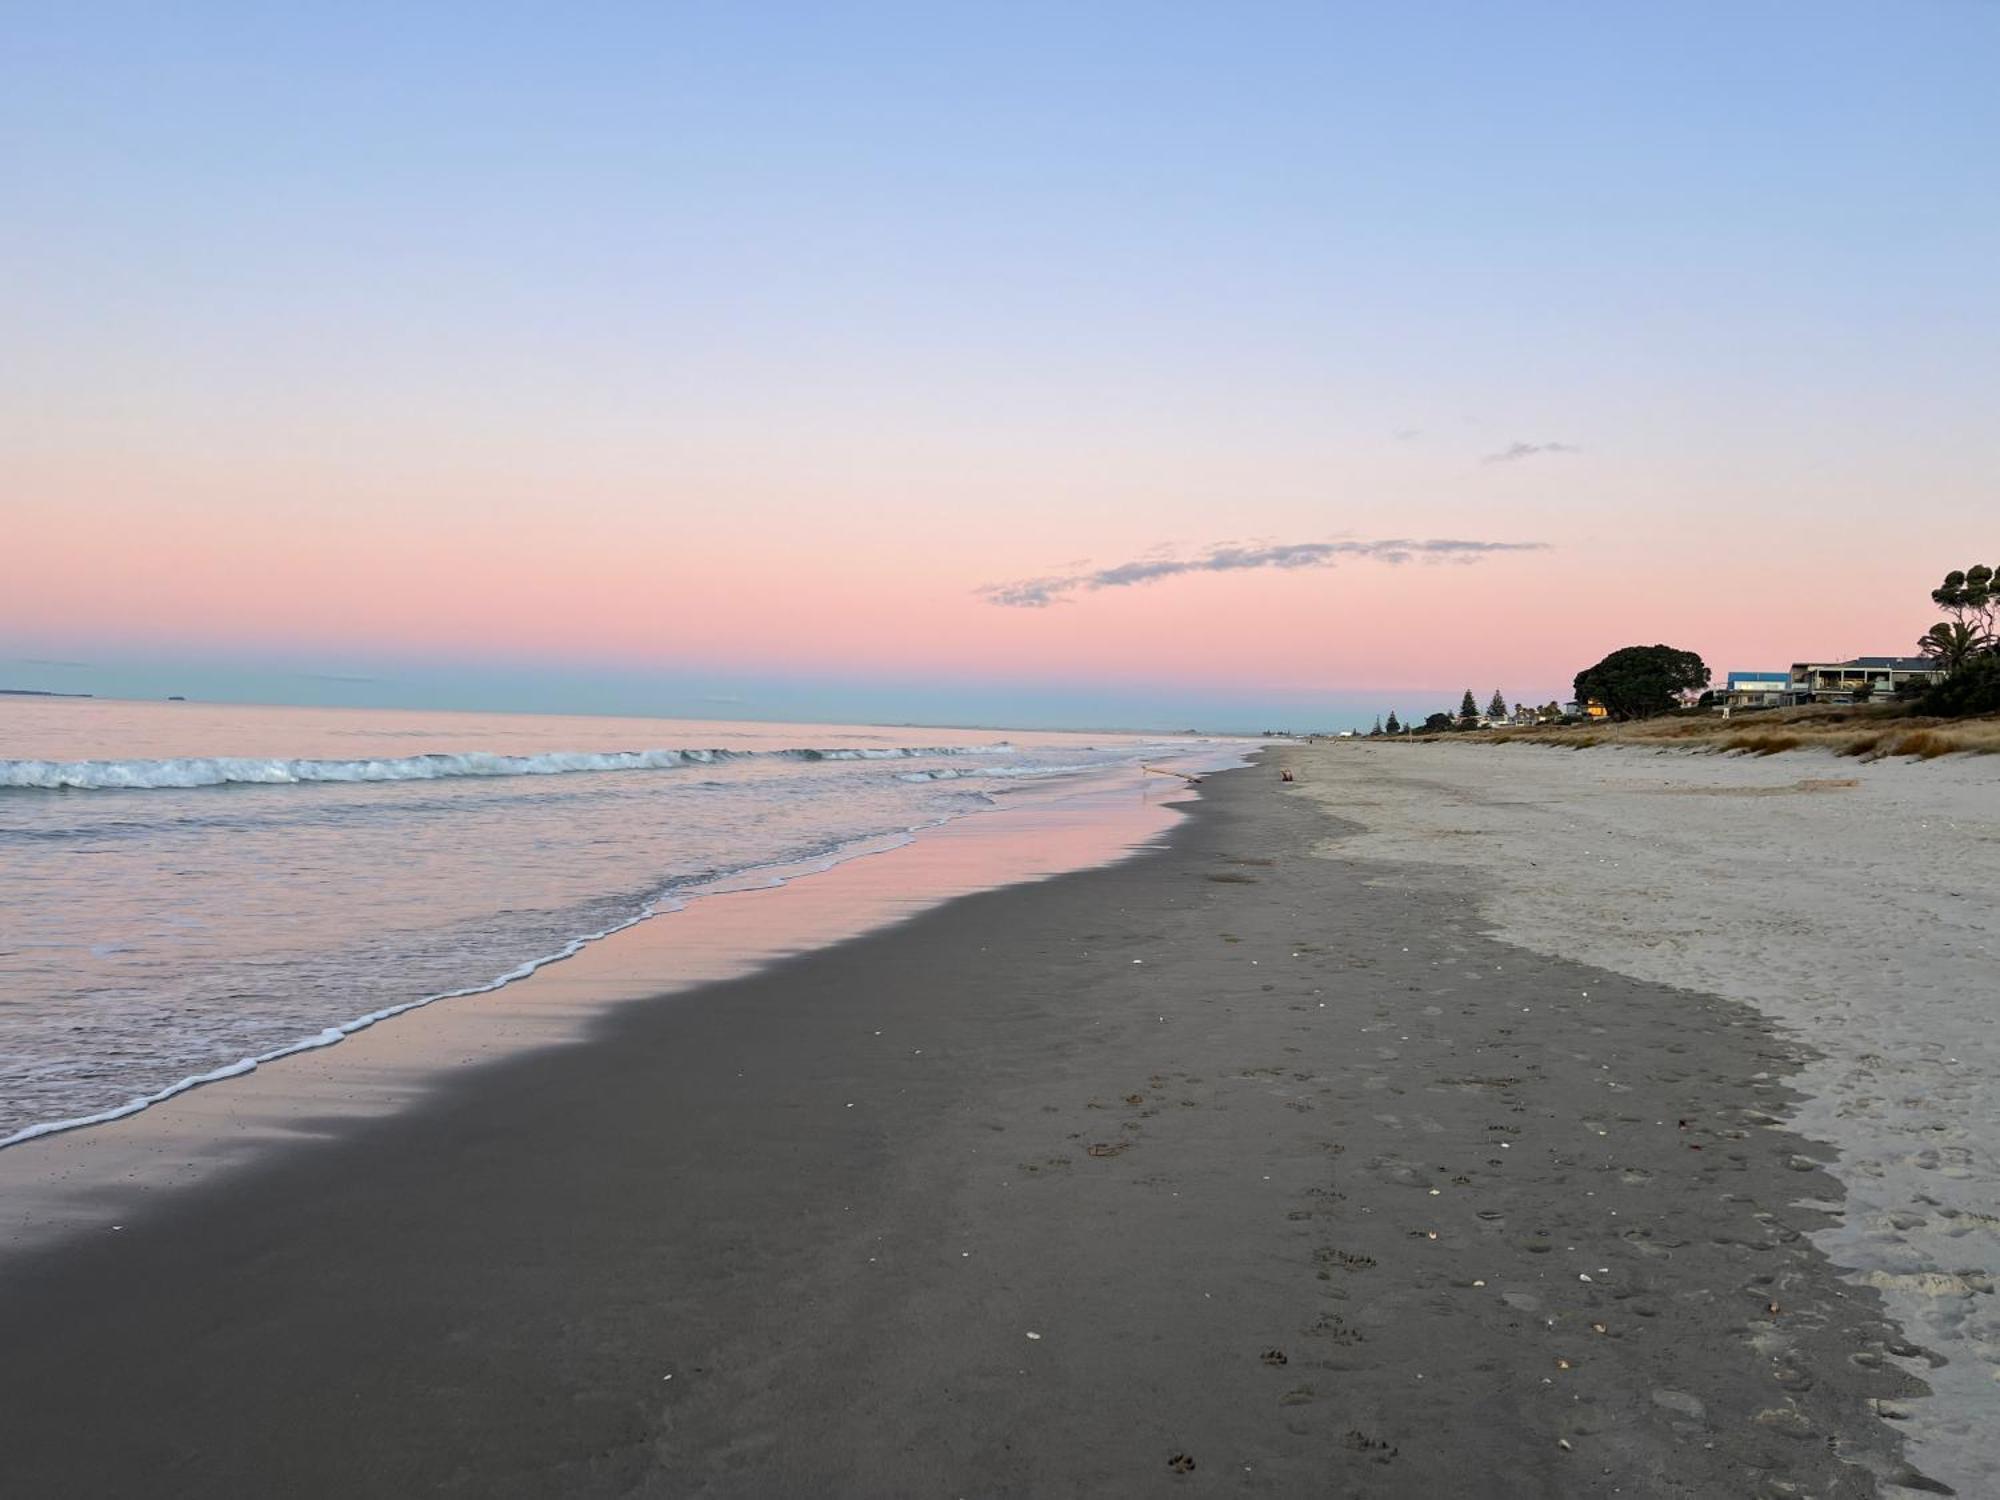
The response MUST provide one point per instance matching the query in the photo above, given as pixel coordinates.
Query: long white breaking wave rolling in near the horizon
(247, 771)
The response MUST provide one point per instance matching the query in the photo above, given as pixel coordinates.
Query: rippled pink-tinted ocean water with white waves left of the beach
(189, 891)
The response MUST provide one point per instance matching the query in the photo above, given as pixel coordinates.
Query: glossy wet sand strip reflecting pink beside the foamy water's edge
(69, 1177)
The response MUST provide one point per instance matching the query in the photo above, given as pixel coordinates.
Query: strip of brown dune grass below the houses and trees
(1863, 731)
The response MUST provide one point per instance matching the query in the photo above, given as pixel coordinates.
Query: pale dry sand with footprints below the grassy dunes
(1855, 903)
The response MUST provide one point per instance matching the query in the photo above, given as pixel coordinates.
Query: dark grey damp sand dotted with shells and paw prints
(1229, 1169)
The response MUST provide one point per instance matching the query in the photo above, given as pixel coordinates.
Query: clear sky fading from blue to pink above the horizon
(1175, 365)
